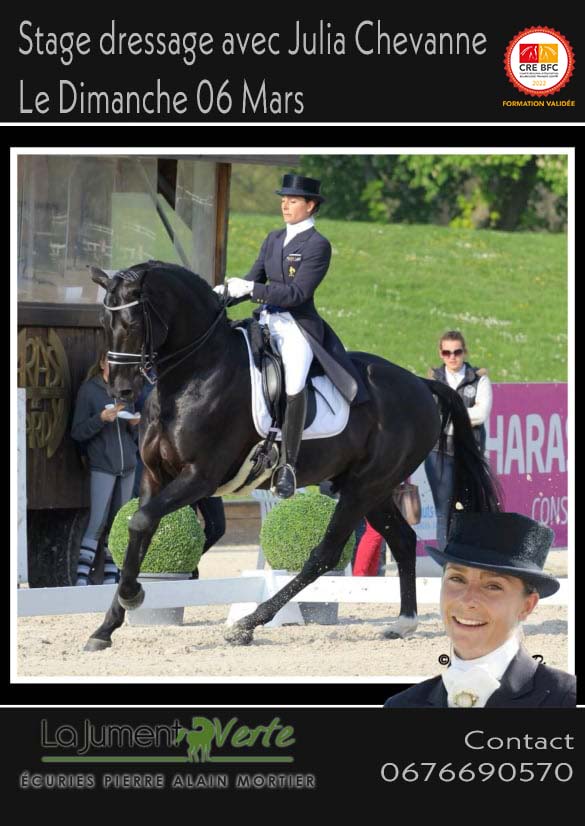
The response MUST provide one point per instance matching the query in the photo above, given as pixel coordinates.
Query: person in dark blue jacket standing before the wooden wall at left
(108, 435)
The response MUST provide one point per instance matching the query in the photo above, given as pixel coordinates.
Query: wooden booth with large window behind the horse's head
(111, 211)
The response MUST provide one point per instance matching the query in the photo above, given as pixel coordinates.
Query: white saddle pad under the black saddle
(325, 423)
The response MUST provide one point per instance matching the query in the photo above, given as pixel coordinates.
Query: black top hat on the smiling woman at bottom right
(508, 543)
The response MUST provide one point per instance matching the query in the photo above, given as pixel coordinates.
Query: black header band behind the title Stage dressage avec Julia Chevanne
(349, 87)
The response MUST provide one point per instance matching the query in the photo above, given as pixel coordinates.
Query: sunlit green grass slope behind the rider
(394, 289)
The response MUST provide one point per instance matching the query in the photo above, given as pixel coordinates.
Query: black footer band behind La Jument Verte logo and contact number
(341, 754)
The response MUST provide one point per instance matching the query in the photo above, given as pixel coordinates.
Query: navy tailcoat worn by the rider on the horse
(287, 277)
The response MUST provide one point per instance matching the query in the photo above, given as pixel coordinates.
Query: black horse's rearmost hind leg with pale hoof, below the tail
(401, 538)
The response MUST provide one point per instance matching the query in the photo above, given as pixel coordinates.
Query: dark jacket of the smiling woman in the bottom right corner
(525, 684)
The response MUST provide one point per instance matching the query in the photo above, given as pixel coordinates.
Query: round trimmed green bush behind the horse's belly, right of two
(294, 527)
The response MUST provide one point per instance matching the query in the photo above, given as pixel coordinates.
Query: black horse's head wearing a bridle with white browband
(124, 327)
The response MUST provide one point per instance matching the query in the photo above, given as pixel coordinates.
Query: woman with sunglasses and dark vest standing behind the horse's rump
(474, 387)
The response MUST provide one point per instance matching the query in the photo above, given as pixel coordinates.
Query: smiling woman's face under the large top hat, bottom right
(480, 609)
